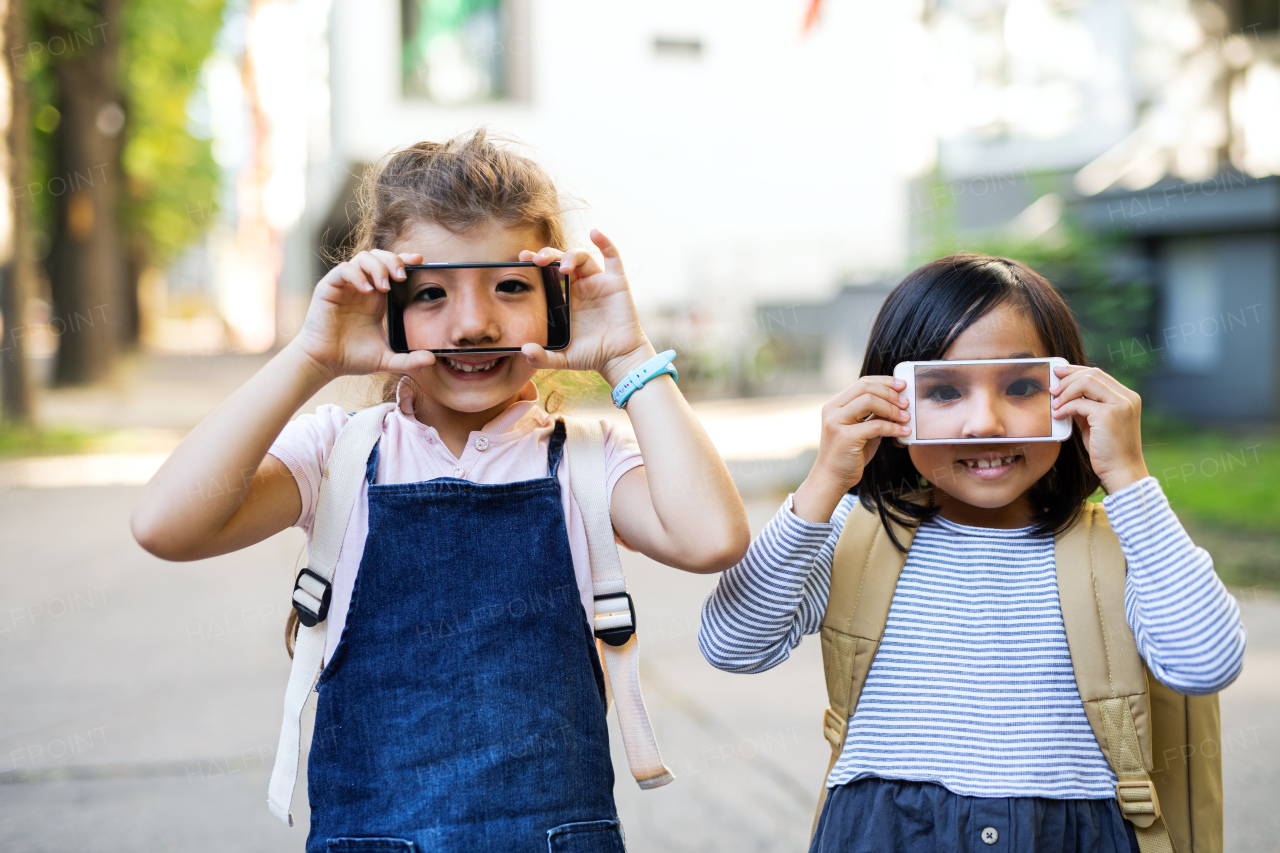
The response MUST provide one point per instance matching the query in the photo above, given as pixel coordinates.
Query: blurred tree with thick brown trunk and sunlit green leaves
(121, 183)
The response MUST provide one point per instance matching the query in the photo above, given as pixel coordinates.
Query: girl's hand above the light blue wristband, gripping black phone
(606, 329)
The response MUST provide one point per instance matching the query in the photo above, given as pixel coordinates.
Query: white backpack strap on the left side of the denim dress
(339, 491)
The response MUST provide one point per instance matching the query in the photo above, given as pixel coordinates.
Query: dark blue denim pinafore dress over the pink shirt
(464, 708)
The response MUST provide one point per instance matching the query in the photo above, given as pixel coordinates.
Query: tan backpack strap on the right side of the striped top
(1109, 670)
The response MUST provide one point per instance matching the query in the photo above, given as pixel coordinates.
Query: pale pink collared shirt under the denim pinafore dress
(515, 449)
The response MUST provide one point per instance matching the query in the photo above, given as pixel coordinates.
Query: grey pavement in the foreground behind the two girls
(141, 701)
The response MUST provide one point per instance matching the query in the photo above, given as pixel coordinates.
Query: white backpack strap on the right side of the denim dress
(615, 612)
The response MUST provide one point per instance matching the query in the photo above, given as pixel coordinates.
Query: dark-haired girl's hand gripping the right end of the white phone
(1109, 417)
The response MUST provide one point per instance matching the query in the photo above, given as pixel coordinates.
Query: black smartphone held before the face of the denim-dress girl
(478, 308)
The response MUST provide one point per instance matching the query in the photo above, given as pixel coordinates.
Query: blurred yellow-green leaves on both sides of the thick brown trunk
(172, 179)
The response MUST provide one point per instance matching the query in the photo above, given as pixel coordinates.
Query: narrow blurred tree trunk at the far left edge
(17, 275)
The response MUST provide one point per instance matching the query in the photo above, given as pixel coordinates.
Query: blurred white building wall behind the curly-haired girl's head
(769, 168)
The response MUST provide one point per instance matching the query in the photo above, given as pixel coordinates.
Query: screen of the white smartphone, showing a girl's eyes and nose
(1011, 400)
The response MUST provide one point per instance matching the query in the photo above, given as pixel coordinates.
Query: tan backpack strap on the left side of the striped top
(865, 574)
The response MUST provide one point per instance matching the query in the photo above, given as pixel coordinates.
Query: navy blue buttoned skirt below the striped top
(877, 815)
